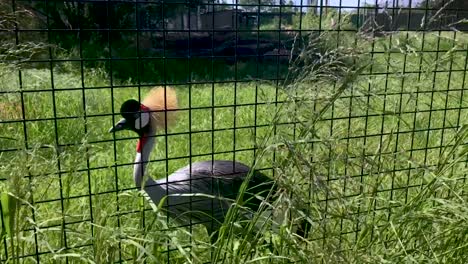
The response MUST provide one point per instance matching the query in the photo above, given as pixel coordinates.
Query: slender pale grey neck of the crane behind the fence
(144, 147)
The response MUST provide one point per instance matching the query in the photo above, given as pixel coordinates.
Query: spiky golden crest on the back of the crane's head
(158, 100)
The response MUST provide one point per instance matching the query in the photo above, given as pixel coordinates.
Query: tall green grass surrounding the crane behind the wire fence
(382, 171)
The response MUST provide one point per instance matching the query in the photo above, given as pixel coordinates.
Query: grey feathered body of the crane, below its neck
(204, 191)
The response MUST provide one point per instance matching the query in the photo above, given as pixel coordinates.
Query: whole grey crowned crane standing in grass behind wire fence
(217, 183)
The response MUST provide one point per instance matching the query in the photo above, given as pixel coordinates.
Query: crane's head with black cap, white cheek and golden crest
(150, 115)
